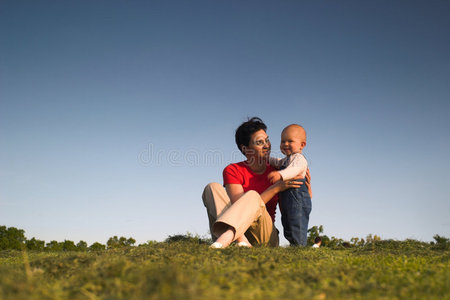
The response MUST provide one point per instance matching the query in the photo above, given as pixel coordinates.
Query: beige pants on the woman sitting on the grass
(248, 215)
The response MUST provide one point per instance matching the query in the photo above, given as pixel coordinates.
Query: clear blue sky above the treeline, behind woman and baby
(115, 114)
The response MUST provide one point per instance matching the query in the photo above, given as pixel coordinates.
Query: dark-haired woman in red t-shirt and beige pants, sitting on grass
(245, 210)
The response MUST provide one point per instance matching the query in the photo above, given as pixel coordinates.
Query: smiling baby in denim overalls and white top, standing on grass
(295, 203)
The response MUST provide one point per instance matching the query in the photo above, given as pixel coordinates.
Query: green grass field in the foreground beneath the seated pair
(190, 270)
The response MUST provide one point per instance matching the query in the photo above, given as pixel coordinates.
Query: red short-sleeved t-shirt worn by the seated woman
(240, 173)
